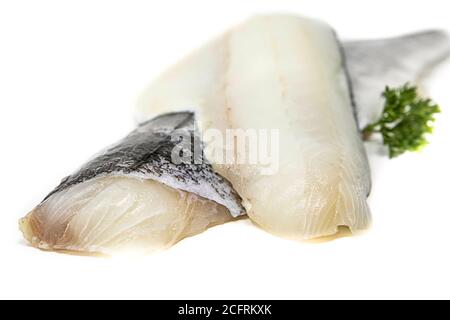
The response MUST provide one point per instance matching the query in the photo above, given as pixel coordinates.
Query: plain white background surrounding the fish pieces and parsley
(70, 72)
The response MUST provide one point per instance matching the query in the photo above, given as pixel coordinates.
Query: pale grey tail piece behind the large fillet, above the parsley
(374, 64)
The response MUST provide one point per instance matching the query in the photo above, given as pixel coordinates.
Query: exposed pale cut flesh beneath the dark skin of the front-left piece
(110, 216)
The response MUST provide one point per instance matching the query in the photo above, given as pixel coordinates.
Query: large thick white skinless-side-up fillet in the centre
(285, 73)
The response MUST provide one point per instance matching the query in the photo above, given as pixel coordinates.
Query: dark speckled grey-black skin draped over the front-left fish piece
(147, 153)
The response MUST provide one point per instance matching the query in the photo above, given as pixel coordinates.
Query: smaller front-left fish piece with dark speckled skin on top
(132, 197)
